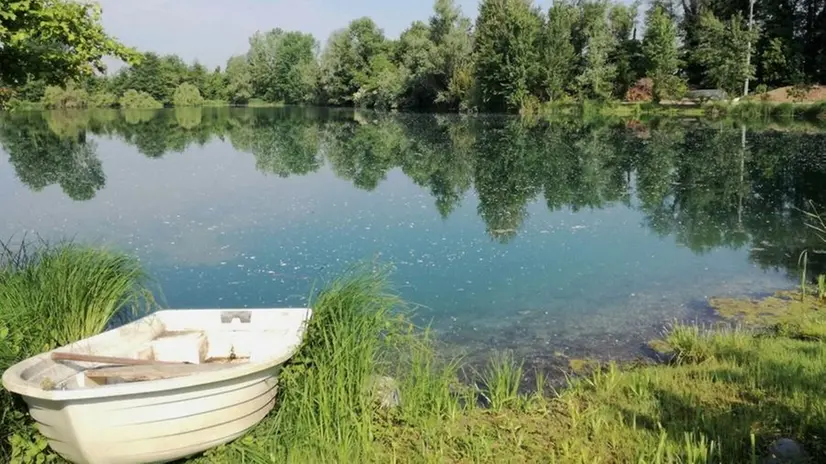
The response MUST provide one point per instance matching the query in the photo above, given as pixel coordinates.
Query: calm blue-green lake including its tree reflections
(571, 236)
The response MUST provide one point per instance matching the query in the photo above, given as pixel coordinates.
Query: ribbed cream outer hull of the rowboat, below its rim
(160, 426)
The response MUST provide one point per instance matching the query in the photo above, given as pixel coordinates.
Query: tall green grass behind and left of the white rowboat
(52, 295)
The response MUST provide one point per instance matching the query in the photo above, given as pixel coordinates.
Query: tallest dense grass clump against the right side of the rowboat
(325, 409)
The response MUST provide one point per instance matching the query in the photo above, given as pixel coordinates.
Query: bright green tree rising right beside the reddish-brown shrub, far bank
(662, 62)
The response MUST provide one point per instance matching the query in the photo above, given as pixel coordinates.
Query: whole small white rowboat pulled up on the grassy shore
(151, 407)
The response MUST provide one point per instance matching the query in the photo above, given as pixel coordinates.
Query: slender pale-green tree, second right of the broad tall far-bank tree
(595, 43)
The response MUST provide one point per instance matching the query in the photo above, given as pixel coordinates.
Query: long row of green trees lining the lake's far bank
(514, 56)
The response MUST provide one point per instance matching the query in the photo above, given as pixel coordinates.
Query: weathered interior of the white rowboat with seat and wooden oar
(169, 344)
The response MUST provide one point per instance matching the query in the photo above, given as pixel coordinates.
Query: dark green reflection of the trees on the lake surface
(702, 184)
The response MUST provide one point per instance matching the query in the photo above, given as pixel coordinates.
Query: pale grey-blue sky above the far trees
(213, 30)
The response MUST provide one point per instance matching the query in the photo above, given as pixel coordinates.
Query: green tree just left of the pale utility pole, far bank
(722, 52)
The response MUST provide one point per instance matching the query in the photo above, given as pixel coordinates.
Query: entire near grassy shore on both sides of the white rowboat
(367, 386)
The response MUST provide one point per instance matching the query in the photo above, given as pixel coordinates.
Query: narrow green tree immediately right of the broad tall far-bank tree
(558, 53)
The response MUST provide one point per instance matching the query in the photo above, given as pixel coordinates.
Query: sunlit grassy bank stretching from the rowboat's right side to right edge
(726, 396)
